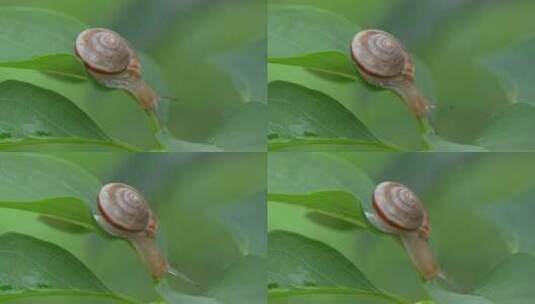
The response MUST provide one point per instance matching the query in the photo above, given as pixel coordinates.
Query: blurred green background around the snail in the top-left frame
(186, 39)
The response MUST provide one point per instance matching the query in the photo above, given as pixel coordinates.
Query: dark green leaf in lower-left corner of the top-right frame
(302, 114)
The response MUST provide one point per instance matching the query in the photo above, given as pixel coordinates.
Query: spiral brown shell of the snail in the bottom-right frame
(399, 207)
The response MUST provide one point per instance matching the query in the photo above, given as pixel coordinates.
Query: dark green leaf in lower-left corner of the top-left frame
(32, 115)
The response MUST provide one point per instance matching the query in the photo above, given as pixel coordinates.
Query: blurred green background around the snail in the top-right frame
(450, 37)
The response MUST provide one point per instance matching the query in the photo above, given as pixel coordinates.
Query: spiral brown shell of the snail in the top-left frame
(104, 51)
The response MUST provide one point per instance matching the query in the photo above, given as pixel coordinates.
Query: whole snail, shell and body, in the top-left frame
(111, 60)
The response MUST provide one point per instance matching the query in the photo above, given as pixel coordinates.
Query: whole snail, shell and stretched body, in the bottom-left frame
(125, 213)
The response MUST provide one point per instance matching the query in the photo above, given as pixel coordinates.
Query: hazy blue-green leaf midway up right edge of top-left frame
(245, 66)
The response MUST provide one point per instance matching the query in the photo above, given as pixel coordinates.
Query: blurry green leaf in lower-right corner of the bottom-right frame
(511, 282)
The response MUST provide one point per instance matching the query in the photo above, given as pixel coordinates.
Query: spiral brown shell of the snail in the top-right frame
(379, 54)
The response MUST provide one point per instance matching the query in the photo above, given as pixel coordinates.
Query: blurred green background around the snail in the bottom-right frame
(480, 205)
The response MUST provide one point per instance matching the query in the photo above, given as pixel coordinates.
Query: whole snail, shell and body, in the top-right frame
(382, 61)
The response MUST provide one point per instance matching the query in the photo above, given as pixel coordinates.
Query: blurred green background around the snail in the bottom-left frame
(206, 206)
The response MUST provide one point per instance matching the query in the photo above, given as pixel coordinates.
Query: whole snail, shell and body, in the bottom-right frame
(397, 210)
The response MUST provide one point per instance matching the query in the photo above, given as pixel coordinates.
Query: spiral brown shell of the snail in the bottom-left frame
(124, 208)
